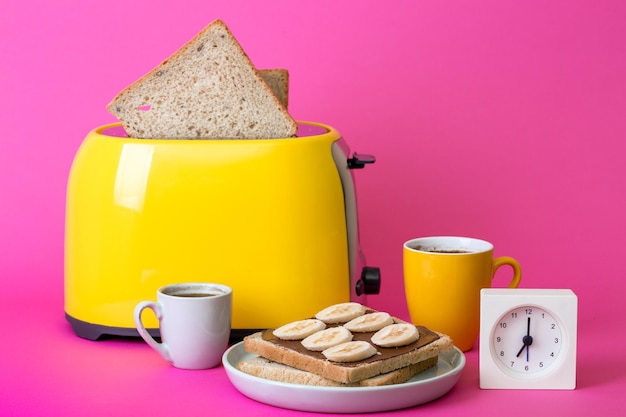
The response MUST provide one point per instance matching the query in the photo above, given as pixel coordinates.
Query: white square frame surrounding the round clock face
(562, 304)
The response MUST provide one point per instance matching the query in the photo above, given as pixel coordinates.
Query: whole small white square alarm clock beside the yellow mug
(528, 338)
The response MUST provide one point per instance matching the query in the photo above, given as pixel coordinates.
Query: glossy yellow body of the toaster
(265, 217)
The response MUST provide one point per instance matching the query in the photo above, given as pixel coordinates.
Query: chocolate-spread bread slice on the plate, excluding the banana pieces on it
(291, 352)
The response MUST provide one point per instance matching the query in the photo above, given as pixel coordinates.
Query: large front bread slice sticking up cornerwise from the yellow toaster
(209, 88)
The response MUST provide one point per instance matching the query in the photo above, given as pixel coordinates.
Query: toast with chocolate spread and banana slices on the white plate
(347, 343)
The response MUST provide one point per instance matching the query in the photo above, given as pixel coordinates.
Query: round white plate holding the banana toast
(424, 387)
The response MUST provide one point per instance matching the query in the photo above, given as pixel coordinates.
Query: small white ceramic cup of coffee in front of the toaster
(194, 322)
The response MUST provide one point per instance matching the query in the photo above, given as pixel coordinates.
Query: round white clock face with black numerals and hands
(527, 340)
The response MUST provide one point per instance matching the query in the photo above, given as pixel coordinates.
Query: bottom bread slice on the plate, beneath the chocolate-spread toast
(264, 368)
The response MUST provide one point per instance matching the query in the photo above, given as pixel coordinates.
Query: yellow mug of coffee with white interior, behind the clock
(443, 276)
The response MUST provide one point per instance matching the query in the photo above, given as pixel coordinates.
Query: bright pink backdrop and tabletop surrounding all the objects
(501, 120)
